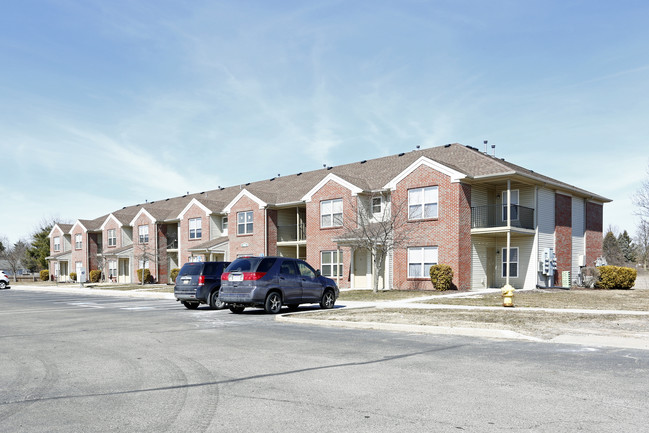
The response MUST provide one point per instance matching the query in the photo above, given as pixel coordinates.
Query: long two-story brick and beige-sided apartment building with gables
(492, 221)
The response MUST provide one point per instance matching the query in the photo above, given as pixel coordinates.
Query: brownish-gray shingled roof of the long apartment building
(368, 175)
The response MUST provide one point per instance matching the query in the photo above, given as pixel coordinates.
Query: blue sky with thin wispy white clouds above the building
(105, 104)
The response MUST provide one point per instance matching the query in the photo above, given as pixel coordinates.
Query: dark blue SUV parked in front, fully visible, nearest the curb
(270, 282)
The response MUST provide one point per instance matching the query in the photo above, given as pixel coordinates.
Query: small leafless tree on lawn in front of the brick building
(377, 233)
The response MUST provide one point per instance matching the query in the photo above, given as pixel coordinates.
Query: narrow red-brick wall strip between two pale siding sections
(562, 235)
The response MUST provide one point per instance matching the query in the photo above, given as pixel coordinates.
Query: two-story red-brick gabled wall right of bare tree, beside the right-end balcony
(450, 232)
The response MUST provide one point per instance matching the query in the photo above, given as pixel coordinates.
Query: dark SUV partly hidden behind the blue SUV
(199, 283)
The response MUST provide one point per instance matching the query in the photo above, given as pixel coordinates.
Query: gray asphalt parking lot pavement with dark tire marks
(74, 363)
